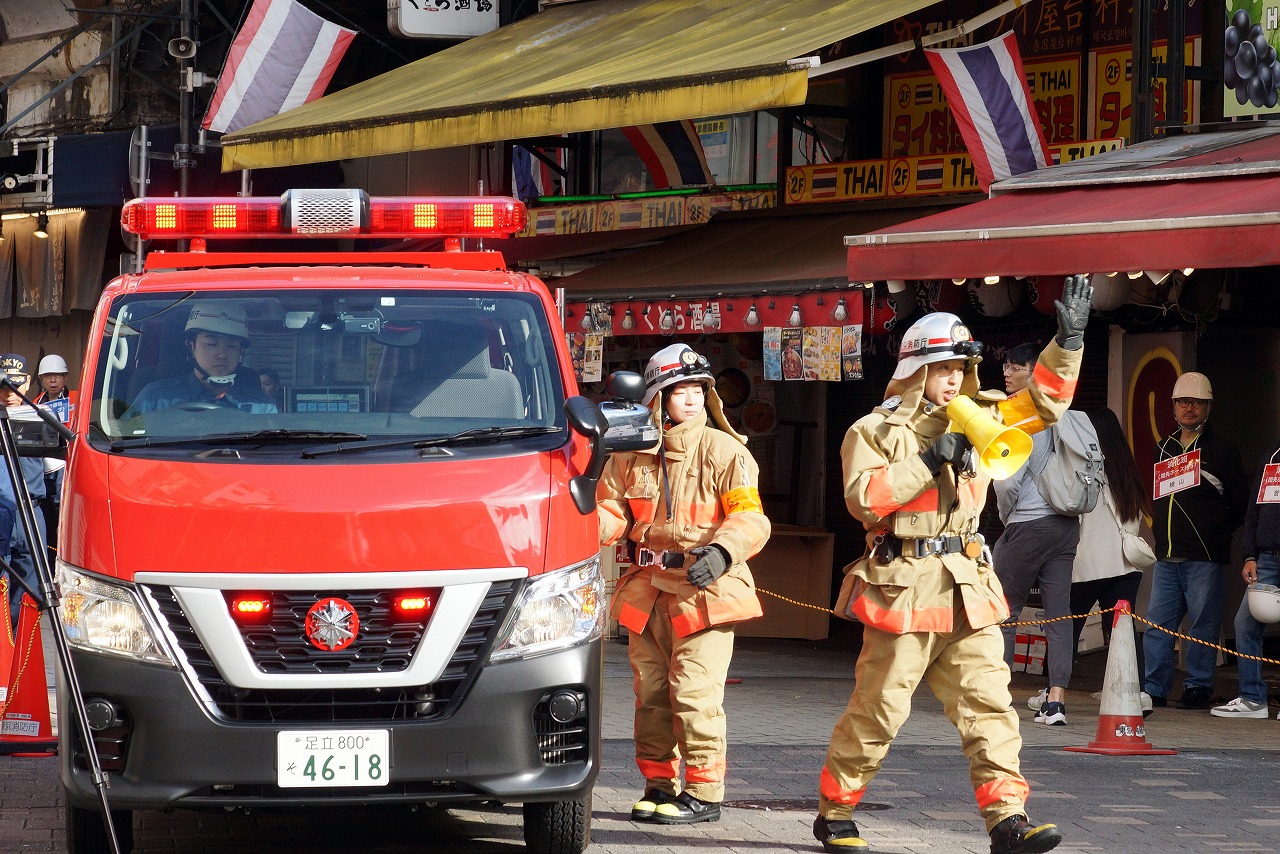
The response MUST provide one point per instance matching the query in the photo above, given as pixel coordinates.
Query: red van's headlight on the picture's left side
(107, 616)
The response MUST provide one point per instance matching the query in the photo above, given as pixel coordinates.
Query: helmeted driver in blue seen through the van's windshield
(217, 337)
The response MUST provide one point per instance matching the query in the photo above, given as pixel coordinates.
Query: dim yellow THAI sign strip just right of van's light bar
(619, 214)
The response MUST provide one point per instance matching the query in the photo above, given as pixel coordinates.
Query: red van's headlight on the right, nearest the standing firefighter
(557, 611)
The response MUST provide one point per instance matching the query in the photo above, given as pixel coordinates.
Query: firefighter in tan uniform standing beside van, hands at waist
(692, 509)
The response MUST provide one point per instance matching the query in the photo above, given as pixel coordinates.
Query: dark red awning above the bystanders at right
(1204, 222)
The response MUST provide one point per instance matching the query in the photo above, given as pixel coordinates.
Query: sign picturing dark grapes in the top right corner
(1251, 68)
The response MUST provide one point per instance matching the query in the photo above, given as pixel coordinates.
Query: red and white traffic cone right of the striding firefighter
(1121, 725)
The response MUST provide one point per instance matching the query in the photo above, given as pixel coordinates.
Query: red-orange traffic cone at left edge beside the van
(25, 727)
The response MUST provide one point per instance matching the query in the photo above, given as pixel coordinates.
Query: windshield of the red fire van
(276, 367)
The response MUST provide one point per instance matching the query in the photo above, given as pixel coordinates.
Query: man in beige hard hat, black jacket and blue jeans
(1200, 503)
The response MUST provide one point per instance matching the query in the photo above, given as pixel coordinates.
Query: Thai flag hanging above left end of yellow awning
(284, 57)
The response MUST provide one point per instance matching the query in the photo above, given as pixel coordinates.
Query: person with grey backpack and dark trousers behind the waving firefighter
(1040, 508)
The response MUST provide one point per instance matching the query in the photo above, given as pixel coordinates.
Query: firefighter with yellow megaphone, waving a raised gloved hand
(926, 592)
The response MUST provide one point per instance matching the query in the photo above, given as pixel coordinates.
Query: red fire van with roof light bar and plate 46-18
(378, 586)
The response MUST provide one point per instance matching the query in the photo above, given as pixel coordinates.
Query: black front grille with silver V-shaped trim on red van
(388, 650)
